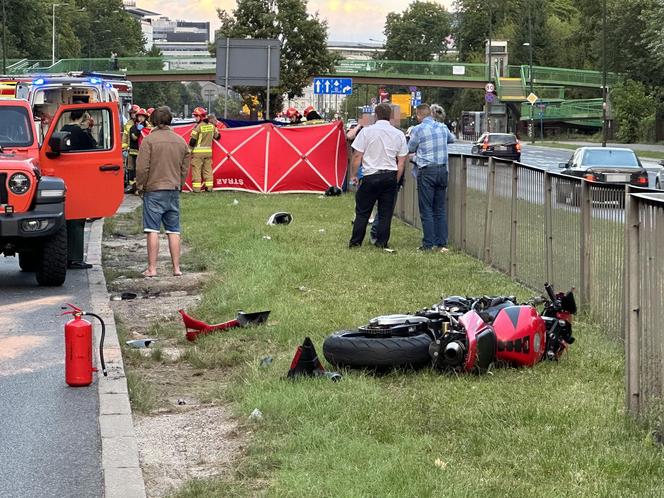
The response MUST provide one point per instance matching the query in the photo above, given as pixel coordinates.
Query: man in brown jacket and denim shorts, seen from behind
(161, 170)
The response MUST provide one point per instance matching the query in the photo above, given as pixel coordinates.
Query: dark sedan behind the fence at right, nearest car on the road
(614, 165)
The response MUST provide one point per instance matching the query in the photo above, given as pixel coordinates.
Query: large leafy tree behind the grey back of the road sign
(303, 40)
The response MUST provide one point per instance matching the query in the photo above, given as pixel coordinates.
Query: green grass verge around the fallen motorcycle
(553, 430)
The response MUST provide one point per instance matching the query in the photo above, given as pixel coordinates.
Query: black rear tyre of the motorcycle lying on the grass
(354, 349)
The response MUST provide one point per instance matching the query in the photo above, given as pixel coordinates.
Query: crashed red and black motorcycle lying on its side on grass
(461, 334)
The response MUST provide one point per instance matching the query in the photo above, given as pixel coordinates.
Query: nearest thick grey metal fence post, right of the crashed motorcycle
(632, 315)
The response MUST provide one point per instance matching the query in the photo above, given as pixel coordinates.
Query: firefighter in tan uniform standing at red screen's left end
(202, 136)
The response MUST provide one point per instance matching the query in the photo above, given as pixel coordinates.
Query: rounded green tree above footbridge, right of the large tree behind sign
(418, 33)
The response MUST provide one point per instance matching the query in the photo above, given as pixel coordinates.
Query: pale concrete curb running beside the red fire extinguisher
(123, 477)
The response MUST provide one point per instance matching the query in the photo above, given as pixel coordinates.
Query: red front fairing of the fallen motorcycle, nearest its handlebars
(520, 334)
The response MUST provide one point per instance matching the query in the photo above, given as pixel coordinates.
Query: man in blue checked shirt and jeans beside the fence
(428, 141)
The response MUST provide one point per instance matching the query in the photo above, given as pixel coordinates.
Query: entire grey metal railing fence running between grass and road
(538, 226)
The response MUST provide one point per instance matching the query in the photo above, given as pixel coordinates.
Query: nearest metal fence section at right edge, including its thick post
(644, 310)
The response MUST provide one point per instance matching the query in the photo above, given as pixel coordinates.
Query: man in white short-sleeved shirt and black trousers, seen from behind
(382, 150)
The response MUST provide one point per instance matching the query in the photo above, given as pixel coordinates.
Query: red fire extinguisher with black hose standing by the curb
(78, 348)
